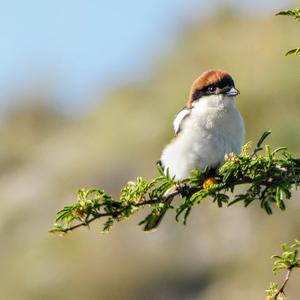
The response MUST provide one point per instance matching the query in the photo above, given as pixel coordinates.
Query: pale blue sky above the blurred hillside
(81, 45)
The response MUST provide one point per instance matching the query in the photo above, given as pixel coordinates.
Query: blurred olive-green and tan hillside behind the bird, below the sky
(220, 252)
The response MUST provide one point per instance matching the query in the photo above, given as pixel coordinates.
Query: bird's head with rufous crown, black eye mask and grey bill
(214, 86)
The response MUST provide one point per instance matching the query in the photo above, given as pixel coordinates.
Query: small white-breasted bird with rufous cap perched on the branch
(207, 128)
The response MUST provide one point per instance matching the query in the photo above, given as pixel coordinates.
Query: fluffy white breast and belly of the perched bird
(213, 128)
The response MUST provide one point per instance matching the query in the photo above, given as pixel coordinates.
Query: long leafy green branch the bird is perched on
(268, 178)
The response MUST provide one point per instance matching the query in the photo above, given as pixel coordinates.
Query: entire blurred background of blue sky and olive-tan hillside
(88, 92)
